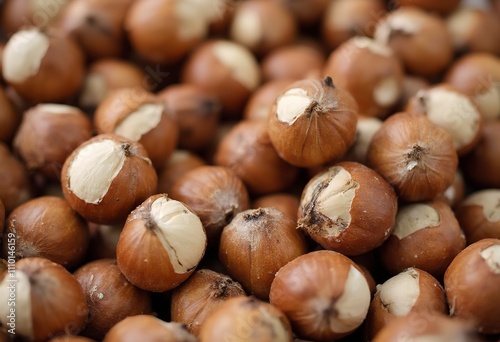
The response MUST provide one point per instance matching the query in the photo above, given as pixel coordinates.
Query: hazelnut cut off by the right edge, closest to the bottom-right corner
(476, 272)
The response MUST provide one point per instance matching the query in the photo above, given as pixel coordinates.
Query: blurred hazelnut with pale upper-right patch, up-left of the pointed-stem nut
(226, 70)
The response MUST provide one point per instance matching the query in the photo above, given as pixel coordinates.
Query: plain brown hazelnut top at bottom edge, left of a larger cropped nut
(148, 328)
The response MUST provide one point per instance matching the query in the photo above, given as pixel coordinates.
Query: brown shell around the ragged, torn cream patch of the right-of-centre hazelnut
(372, 212)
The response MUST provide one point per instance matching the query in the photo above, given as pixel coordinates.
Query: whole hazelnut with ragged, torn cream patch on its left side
(348, 208)
